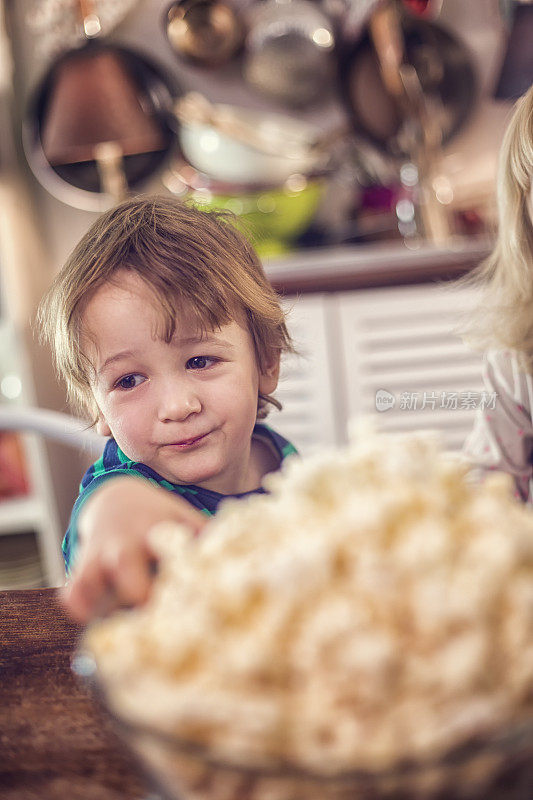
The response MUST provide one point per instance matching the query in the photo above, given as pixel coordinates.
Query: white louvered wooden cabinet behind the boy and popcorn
(397, 349)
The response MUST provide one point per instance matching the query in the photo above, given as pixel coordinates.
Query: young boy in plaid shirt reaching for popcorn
(168, 333)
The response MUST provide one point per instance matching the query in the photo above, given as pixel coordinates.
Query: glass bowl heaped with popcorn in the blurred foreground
(365, 630)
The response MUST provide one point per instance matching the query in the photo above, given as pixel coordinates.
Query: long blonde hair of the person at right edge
(504, 317)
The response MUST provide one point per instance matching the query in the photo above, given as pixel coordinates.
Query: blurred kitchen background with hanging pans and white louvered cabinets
(356, 140)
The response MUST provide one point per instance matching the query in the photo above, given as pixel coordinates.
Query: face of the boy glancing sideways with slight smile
(185, 408)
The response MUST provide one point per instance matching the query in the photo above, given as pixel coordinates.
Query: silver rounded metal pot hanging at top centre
(289, 51)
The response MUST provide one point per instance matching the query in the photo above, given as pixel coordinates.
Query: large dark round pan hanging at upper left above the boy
(98, 124)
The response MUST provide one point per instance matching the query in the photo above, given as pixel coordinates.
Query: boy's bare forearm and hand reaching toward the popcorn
(116, 564)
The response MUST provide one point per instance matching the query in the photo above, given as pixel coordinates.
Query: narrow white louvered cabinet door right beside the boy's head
(306, 381)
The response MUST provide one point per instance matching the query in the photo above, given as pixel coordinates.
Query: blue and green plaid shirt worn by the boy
(114, 462)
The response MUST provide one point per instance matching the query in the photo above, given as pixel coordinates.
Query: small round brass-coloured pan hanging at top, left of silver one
(208, 32)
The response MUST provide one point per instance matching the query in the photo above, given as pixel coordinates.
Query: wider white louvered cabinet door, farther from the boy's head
(404, 340)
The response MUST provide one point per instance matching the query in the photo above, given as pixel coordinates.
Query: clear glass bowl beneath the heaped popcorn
(496, 766)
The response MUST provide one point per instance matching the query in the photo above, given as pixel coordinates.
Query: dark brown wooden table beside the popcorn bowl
(55, 744)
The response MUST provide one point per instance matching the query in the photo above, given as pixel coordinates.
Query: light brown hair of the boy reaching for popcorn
(187, 257)
